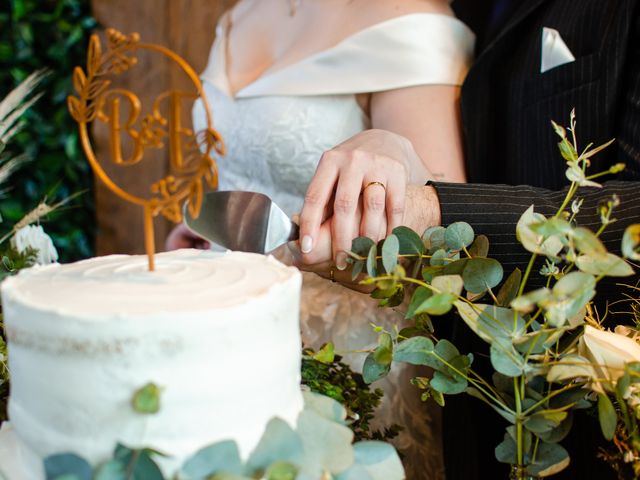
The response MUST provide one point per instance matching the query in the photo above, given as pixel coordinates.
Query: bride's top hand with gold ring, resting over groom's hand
(371, 170)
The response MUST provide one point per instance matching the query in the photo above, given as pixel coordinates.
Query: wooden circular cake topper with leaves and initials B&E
(191, 163)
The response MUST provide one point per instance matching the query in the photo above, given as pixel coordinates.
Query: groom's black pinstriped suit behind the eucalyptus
(507, 106)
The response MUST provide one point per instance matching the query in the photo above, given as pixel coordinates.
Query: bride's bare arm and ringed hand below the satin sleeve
(416, 131)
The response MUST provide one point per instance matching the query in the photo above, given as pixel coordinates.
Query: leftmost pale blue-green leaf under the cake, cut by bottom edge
(219, 457)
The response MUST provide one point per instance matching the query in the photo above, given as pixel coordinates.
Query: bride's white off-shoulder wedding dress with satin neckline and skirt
(275, 131)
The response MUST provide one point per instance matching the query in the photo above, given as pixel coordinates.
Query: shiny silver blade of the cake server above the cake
(244, 221)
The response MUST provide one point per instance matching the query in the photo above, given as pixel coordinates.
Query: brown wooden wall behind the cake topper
(186, 27)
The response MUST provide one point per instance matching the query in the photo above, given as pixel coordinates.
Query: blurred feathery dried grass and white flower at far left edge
(25, 243)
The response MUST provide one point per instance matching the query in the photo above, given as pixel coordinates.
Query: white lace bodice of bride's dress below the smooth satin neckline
(274, 143)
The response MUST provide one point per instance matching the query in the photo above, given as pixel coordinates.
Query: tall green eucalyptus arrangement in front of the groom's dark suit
(547, 358)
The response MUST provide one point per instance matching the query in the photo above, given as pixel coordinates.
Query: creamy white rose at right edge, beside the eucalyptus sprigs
(609, 352)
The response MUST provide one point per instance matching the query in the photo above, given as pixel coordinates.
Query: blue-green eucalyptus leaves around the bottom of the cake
(320, 447)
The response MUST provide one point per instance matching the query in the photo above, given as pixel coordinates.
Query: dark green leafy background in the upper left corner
(51, 34)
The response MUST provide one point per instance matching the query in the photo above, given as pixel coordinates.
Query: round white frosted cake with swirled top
(218, 333)
